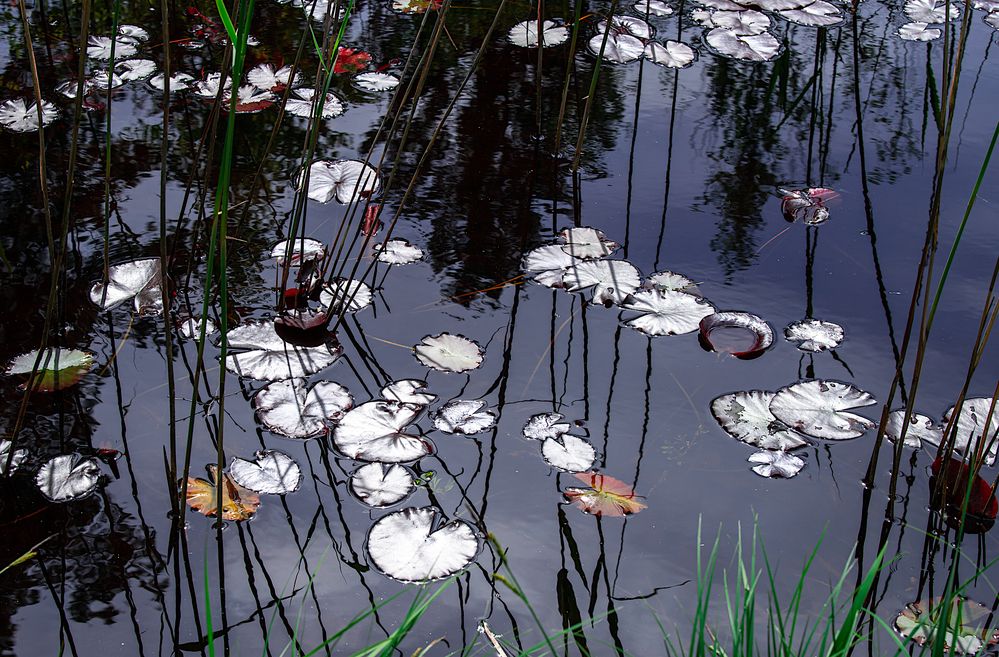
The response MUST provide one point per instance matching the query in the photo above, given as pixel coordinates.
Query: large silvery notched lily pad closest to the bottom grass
(415, 545)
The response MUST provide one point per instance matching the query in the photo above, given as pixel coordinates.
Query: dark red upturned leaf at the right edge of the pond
(948, 495)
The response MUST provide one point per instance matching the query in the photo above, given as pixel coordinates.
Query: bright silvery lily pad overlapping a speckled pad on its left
(818, 409)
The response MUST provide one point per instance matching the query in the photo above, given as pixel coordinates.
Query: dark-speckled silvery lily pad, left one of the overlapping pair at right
(746, 417)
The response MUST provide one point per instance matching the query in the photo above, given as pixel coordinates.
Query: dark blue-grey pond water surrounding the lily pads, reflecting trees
(682, 167)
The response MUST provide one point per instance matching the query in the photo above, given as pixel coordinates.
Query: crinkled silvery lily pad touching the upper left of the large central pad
(291, 409)
